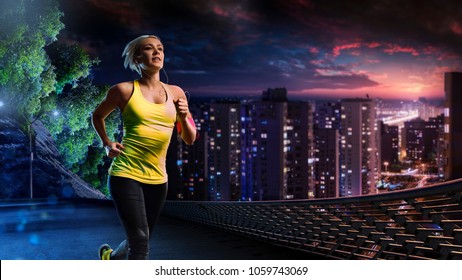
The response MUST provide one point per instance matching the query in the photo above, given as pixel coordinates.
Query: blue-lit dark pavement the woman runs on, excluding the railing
(73, 230)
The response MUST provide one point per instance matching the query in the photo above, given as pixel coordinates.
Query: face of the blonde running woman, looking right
(151, 53)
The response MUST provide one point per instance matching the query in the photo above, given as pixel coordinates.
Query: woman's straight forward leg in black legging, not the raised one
(128, 198)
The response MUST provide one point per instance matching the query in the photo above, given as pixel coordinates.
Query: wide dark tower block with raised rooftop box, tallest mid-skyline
(281, 147)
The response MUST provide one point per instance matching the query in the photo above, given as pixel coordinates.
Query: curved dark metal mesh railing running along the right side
(422, 223)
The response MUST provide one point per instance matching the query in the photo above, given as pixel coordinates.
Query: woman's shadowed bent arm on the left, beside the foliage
(112, 100)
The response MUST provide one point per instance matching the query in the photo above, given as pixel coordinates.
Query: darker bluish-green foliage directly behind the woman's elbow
(72, 130)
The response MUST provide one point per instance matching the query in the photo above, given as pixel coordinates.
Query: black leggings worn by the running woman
(138, 206)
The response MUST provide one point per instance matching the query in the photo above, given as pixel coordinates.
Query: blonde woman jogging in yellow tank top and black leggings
(137, 176)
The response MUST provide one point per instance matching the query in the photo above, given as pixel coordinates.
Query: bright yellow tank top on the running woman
(147, 131)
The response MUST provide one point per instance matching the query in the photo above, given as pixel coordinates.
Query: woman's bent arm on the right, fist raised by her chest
(188, 128)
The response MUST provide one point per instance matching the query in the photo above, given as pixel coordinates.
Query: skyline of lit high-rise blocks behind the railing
(273, 148)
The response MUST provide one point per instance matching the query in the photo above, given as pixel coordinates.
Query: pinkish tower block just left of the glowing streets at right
(360, 148)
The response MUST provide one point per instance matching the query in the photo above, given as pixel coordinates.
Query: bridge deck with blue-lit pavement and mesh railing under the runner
(421, 223)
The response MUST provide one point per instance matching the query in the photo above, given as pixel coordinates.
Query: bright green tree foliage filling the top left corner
(26, 27)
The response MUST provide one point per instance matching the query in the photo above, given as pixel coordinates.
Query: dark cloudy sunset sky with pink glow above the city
(384, 48)
